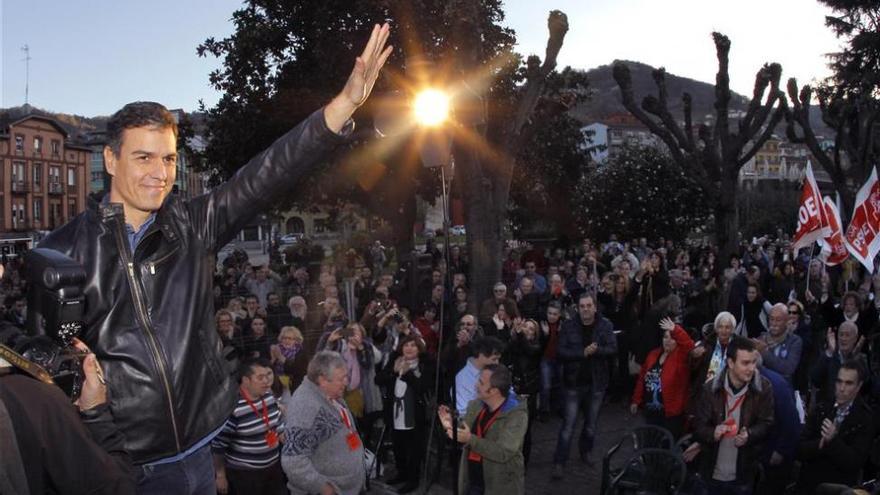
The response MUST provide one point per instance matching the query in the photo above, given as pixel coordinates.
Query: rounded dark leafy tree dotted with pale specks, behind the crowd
(641, 192)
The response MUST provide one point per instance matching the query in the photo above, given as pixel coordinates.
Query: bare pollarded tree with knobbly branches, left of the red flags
(714, 153)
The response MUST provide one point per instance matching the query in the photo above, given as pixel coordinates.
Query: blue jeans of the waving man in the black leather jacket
(193, 475)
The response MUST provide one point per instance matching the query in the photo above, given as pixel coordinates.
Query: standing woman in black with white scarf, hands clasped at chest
(408, 378)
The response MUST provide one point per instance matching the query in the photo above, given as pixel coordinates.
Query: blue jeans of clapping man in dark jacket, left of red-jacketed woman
(577, 399)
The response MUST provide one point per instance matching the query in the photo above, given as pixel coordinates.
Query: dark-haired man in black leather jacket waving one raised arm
(149, 258)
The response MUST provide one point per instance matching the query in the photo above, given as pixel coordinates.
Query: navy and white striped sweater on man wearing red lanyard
(243, 439)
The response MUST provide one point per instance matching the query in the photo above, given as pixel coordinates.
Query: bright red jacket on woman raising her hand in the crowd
(674, 376)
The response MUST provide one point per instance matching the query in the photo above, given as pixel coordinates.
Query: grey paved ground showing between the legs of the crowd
(614, 422)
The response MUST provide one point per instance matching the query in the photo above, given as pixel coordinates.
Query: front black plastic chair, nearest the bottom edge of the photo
(650, 472)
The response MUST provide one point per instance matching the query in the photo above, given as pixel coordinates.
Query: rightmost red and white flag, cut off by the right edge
(862, 239)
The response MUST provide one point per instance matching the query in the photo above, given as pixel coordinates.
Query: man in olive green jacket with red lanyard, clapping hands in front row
(491, 433)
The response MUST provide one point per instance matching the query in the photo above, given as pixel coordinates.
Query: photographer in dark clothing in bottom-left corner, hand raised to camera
(50, 445)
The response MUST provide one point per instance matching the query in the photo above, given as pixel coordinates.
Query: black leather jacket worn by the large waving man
(149, 313)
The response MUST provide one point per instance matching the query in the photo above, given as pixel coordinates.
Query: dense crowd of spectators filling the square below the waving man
(755, 385)
